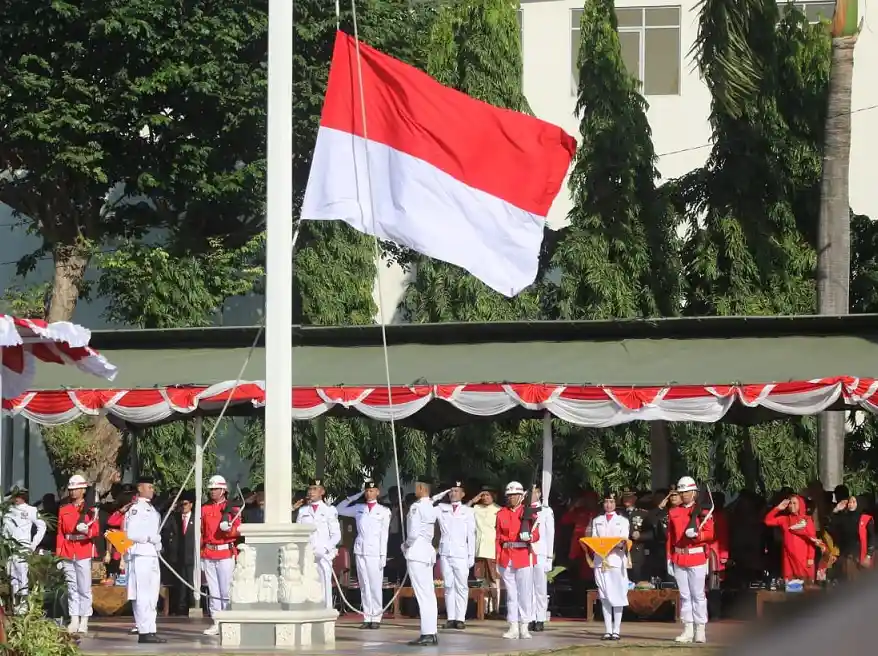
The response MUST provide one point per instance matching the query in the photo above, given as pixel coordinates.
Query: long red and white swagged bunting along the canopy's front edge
(594, 406)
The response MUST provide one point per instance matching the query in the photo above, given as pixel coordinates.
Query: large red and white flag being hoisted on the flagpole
(451, 177)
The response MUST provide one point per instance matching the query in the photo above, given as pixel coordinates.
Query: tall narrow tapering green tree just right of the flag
(618, 257)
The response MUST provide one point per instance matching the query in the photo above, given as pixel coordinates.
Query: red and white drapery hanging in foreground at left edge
(24, 341)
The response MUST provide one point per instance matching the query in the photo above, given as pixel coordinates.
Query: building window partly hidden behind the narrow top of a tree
(650, 40)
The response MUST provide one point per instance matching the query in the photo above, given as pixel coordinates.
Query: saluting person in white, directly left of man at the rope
(370, 549)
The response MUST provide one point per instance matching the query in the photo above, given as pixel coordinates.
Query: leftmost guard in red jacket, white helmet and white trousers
(78, 527)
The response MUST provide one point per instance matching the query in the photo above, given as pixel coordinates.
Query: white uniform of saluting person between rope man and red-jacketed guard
(457, 551)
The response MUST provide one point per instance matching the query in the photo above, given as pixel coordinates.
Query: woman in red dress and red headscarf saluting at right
(798, 538)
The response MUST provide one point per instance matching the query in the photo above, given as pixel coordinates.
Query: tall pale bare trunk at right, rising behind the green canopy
(834, 236)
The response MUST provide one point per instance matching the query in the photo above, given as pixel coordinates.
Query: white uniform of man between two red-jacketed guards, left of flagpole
(141, 525)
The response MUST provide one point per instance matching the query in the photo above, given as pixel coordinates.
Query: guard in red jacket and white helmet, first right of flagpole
(515, 562)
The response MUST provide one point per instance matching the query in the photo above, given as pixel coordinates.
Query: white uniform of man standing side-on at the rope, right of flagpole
(421, 557)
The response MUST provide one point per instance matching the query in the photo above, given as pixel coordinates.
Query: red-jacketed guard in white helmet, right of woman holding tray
(688, 546)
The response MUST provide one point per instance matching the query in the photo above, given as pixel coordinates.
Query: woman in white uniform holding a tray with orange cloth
(611, 574)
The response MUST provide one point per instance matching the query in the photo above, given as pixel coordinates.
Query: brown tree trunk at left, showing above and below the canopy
(71, 263)
